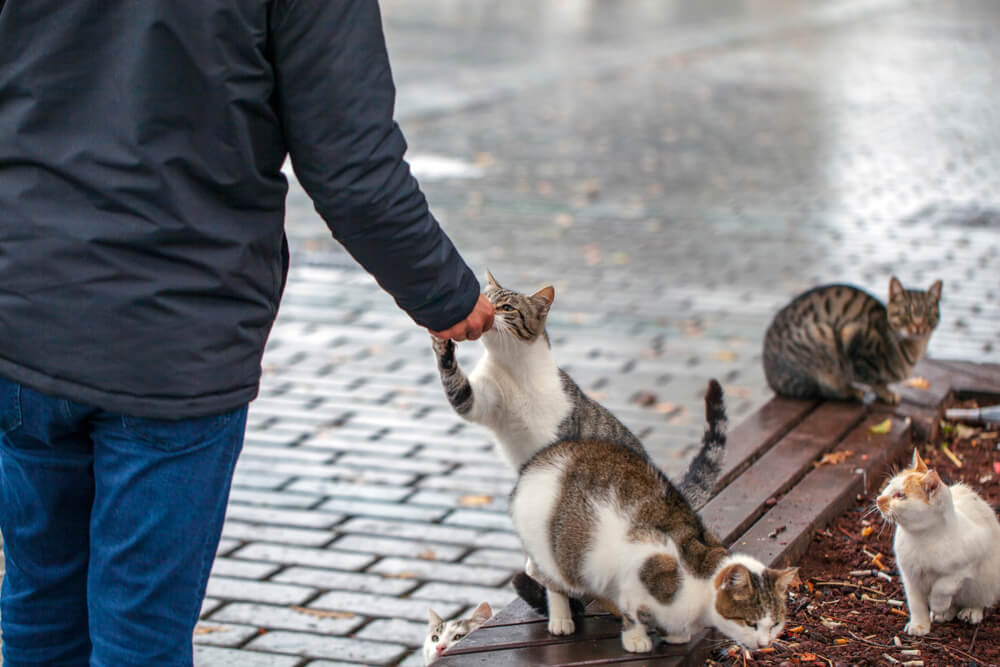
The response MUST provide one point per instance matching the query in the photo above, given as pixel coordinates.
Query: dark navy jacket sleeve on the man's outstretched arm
(335, 97)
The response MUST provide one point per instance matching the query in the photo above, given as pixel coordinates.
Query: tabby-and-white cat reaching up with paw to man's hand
(519, 393)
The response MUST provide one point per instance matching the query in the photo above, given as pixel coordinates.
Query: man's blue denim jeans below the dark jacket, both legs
(110, 526)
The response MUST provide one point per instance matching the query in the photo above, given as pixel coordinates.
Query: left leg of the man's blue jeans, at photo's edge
(46, 490)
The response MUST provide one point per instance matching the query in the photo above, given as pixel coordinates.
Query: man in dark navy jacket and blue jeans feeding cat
(142, 259)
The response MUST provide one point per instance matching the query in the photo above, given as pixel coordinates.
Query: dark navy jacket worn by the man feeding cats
(142, 251)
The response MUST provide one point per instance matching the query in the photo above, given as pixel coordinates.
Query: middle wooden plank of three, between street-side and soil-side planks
(736, 507)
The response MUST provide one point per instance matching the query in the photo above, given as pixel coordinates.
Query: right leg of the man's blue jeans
(161, 493)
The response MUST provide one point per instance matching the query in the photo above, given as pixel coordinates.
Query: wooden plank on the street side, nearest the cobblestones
(759, 432)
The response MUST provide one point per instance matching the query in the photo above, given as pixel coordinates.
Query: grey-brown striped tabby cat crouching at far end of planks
(830, 339)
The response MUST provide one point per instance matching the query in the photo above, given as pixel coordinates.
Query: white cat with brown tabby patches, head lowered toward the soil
(598, 519)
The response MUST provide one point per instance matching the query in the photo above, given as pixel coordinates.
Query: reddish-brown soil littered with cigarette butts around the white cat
(840, 616)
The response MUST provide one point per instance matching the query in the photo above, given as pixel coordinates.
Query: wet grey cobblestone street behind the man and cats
(678, 171)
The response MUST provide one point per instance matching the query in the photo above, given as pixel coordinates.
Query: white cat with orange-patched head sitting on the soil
(947, 546)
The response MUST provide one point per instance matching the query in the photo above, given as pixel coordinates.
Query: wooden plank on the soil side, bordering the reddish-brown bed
(825, 492)
